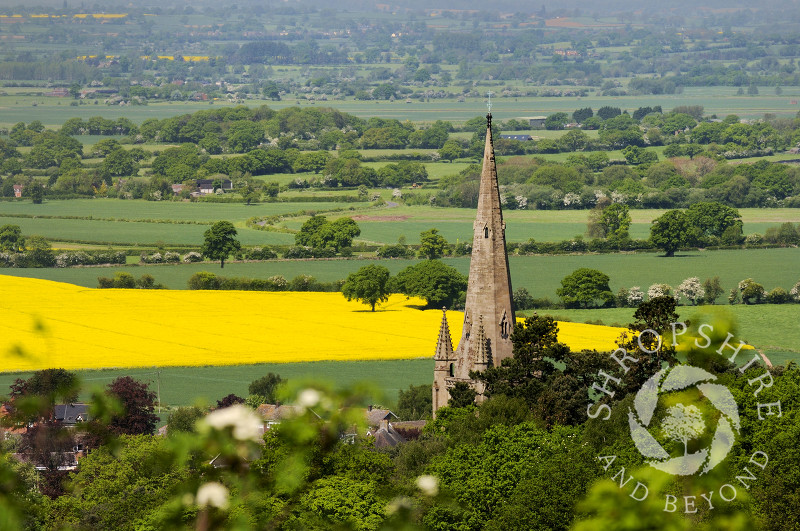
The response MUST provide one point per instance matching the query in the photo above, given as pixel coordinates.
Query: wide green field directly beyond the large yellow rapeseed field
(540, 275)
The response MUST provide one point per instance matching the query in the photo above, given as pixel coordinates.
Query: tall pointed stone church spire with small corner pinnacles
(488, 314)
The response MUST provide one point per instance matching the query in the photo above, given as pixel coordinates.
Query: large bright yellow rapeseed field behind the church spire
(51, 324)
